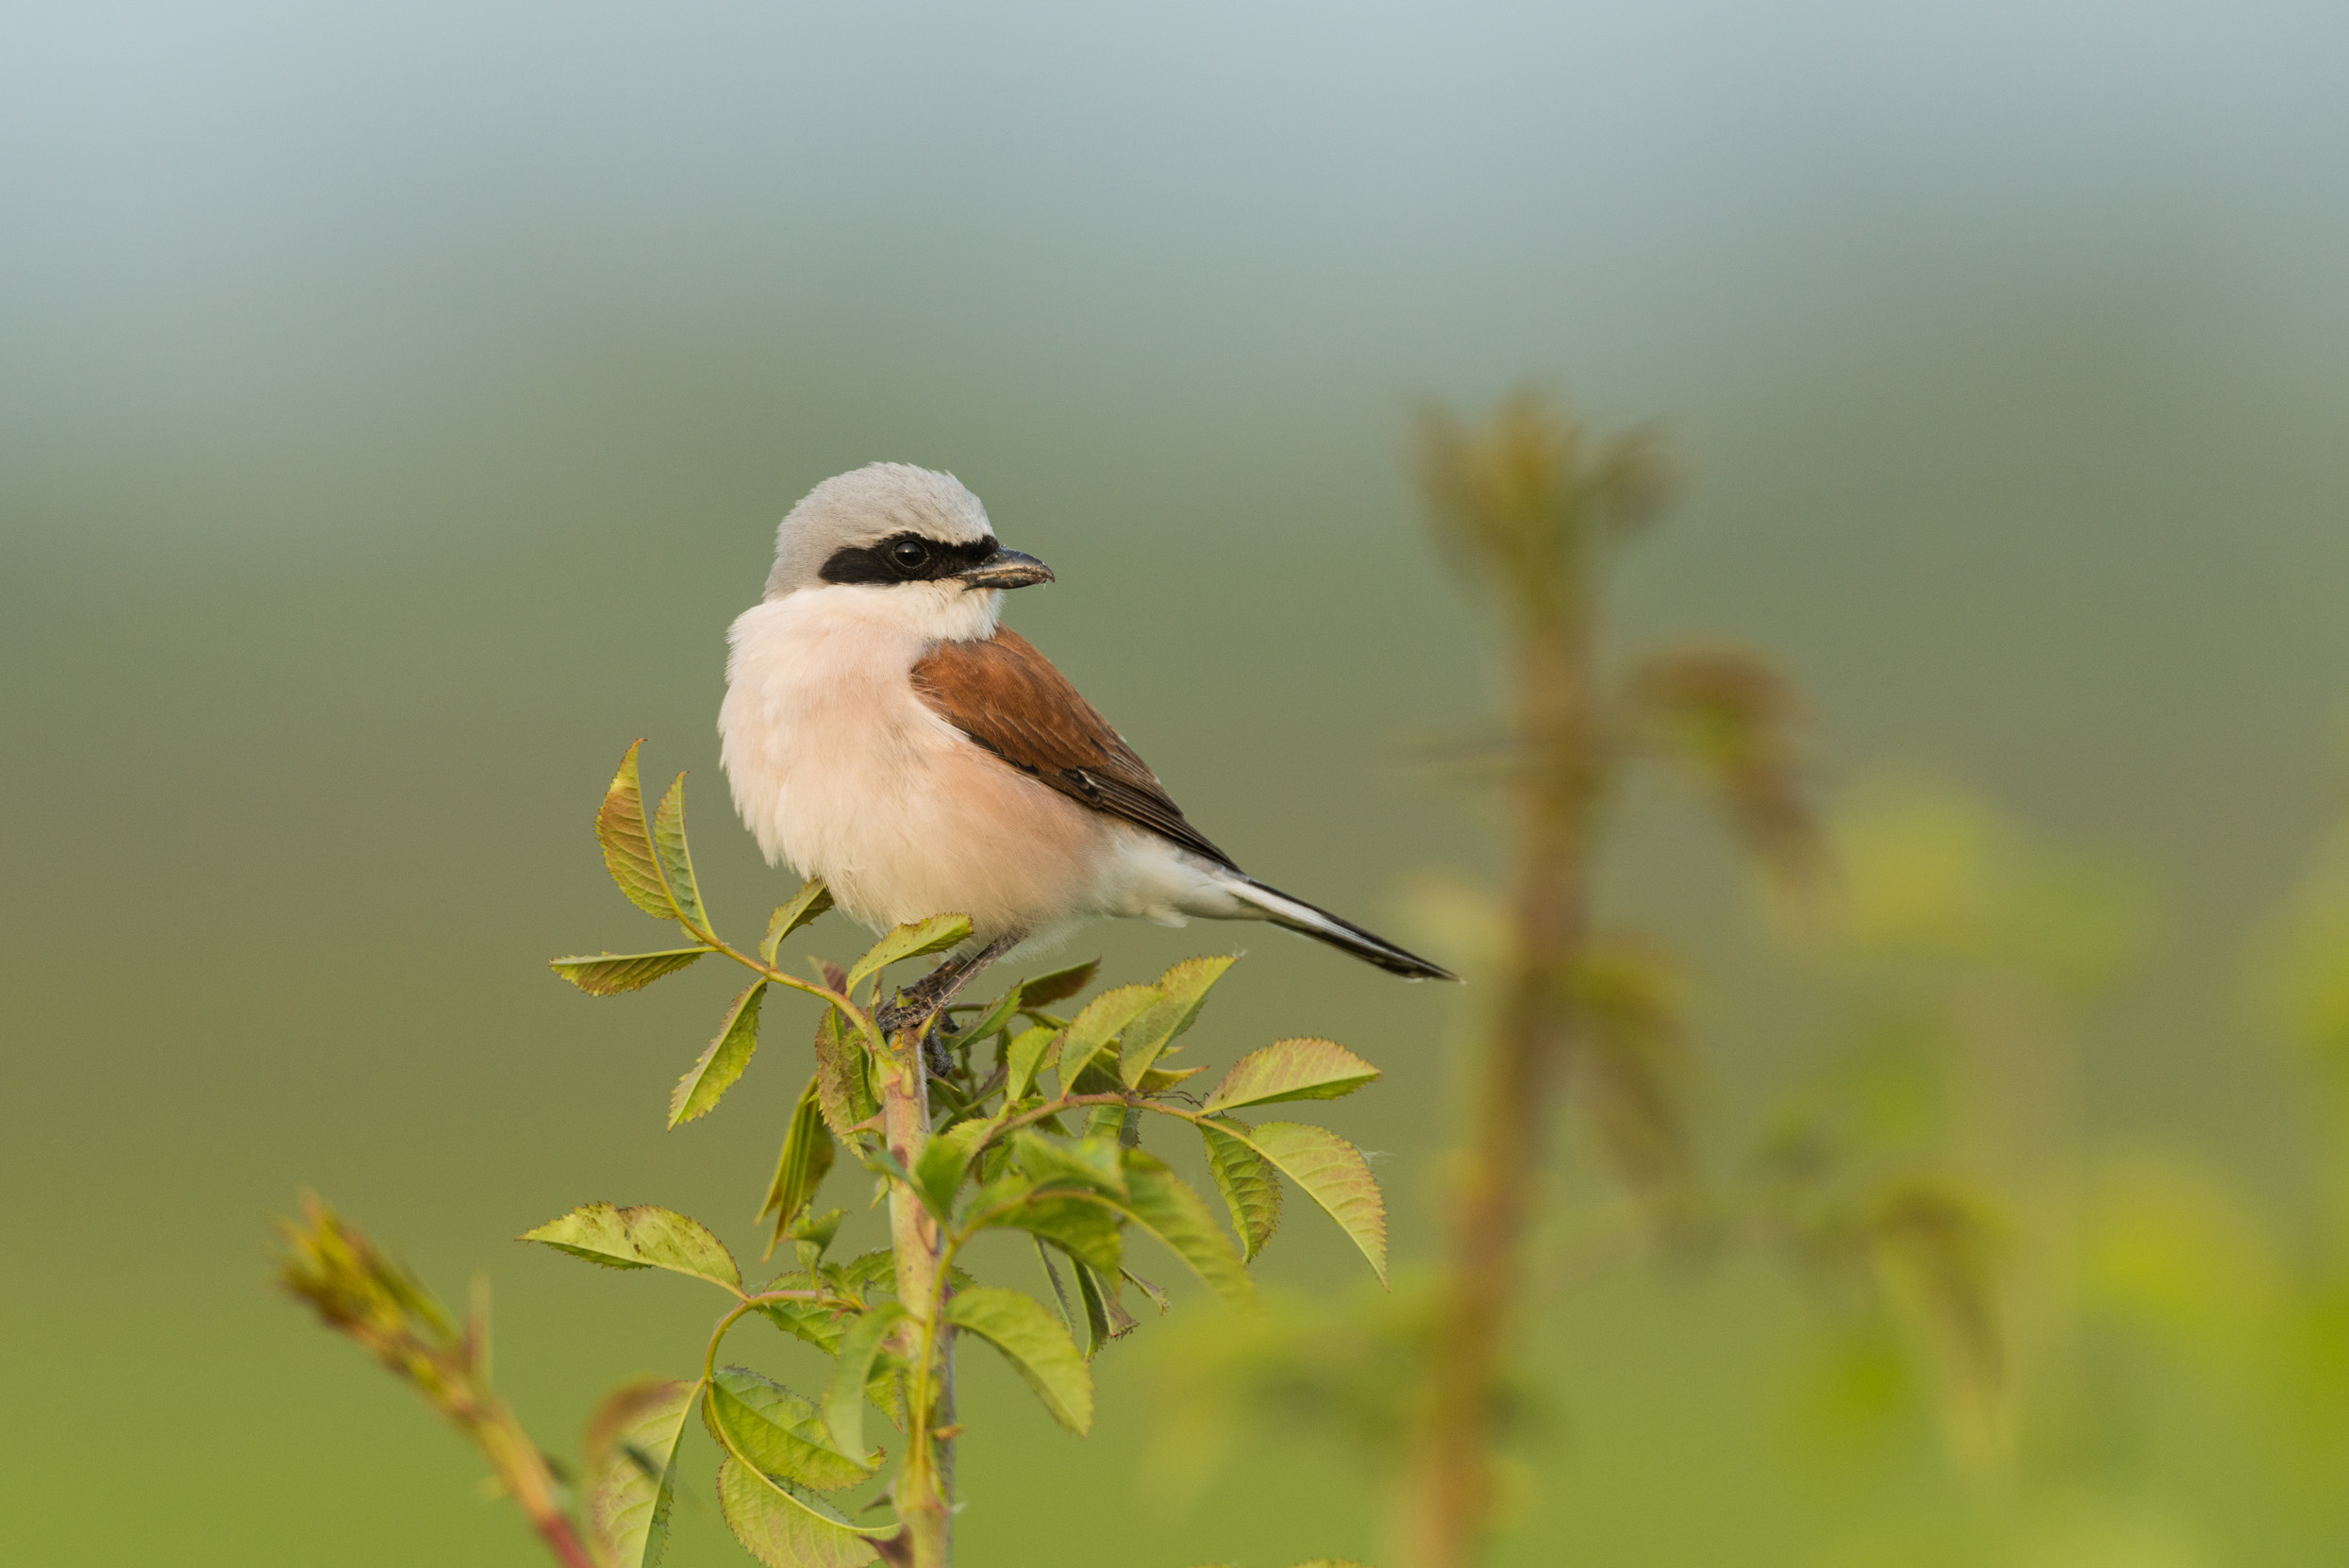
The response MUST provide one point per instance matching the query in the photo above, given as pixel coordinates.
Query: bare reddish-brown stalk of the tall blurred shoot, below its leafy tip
(1519, 1073)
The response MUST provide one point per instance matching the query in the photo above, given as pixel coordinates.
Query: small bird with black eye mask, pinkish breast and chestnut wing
(887, 735)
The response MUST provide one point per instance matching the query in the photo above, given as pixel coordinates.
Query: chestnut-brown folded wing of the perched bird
(1009, 697)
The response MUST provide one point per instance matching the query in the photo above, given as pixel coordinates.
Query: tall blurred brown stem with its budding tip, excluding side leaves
(1528, 507)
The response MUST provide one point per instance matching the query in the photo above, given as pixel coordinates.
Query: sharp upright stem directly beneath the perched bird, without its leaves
(927, 1480)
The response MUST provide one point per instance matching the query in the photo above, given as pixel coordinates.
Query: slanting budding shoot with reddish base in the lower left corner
(370, 1299)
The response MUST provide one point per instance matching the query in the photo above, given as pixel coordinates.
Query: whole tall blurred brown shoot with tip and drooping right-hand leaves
(1535, 504)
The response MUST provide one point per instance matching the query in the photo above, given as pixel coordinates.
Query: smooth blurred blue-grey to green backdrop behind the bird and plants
(396, 406)
